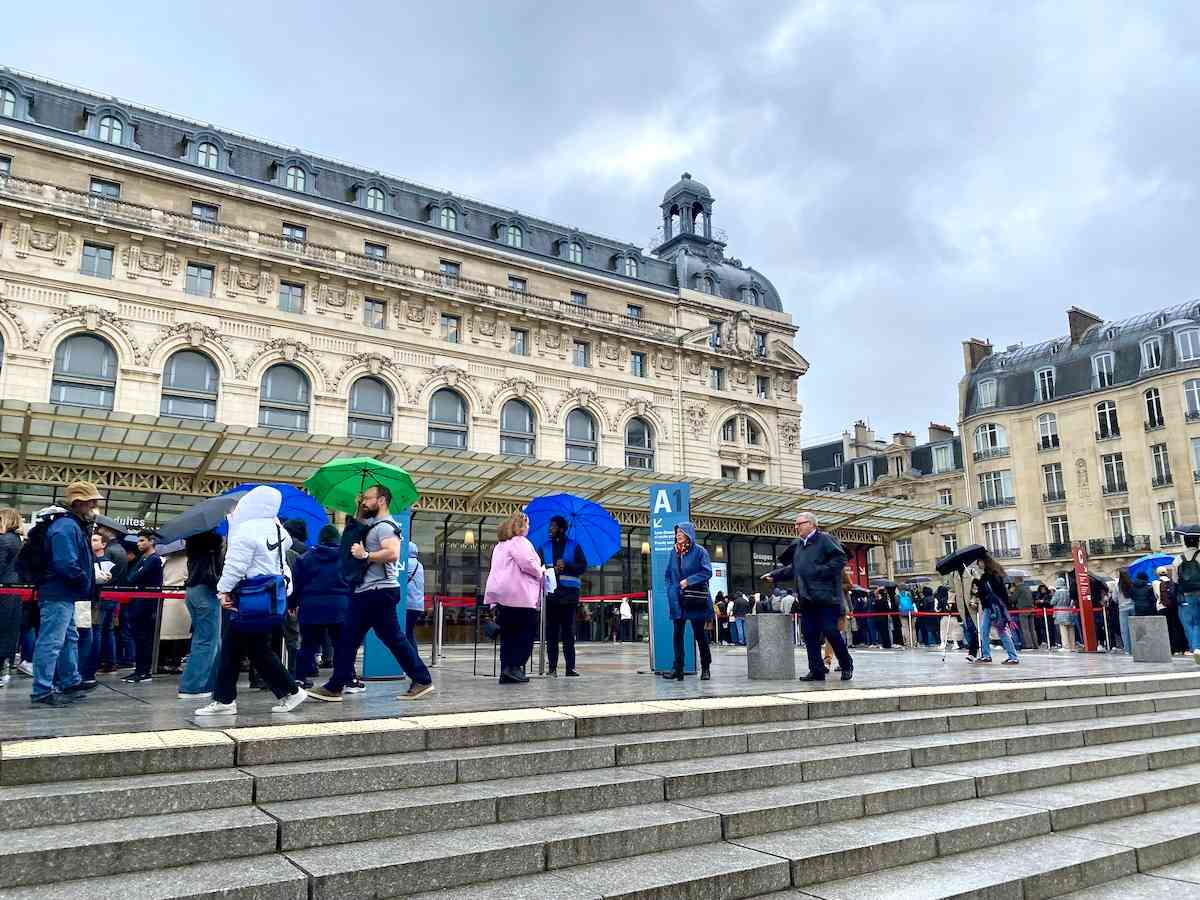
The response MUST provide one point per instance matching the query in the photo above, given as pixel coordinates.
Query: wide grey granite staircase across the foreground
(1003, 791)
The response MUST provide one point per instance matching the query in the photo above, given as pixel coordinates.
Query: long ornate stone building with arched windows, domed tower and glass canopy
(185, 309)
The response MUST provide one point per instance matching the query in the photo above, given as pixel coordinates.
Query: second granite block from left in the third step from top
(356, 818)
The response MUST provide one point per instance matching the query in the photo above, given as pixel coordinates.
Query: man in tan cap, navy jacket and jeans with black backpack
(65, 575)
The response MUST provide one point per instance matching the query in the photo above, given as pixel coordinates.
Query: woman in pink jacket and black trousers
(514, 587)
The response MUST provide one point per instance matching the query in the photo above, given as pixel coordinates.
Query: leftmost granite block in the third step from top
(50, 854)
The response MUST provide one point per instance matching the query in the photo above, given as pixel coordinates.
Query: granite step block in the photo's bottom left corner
(267, 878)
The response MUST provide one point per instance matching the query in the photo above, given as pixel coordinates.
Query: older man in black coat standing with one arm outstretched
(817, 567)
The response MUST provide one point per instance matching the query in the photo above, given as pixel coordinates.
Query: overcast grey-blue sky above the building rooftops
(908, 175)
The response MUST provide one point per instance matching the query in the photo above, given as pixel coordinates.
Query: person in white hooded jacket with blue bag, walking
(257, 545)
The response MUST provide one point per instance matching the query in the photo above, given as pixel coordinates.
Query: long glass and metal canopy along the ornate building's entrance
(45, 443)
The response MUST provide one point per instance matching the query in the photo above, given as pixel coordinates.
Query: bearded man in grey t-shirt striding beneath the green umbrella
(375, 602)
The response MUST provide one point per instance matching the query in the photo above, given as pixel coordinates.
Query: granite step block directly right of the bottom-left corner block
(403, 867)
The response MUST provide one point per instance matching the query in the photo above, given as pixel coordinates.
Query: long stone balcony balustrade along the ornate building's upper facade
(242, 241)
